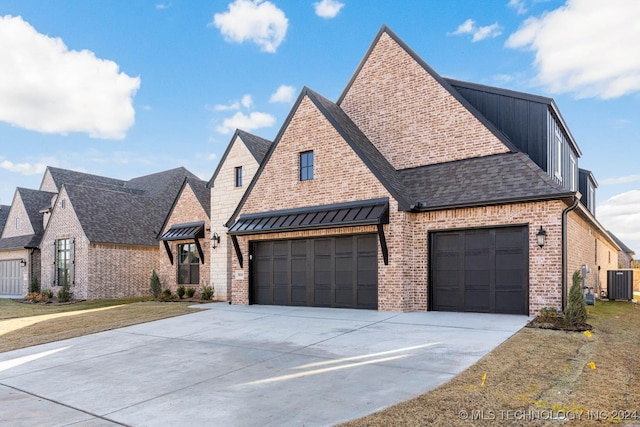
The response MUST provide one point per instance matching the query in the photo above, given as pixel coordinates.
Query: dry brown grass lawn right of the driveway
(540, 373)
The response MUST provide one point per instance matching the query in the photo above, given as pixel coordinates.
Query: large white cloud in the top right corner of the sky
(588, 48)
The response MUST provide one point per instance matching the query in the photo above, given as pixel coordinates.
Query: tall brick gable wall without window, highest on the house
(409, 116)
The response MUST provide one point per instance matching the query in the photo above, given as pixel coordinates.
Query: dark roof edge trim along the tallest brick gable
(441, 81)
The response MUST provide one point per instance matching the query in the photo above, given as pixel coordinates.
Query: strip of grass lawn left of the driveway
(115, 313)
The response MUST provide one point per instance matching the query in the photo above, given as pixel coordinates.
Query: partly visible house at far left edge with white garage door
(19, 240)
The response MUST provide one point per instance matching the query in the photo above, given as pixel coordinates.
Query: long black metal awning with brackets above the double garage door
(350, 214)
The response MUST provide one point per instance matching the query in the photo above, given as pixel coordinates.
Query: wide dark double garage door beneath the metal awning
(321, 272)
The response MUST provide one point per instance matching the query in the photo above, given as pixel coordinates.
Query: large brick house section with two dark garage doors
(405, 195)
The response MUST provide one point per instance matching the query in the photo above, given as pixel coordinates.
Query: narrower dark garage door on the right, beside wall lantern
(484, 270)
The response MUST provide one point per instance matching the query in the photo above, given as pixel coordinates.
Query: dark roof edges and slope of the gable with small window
(374, 160)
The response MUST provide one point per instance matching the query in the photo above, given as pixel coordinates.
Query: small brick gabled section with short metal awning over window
(185, 248)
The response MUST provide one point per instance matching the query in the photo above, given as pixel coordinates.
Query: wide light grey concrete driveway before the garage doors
(244, 366)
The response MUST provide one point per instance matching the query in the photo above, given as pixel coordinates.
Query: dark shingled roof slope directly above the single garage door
(479, 182)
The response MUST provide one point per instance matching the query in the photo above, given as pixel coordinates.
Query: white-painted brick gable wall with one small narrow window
(225, 197)
